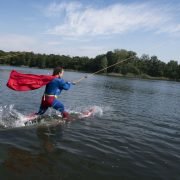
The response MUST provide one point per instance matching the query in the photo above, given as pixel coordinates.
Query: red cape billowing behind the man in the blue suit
(26, 82)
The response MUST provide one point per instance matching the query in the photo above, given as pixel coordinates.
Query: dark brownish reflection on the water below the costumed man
(19, 161)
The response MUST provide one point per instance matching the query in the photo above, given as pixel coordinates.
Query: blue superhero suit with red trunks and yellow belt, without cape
(49, 99)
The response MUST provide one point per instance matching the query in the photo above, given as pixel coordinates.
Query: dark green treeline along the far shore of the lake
(143, 66)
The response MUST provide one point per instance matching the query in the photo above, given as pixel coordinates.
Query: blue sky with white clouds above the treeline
(89, 28)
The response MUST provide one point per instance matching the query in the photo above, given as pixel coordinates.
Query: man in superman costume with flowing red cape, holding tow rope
(54, 85)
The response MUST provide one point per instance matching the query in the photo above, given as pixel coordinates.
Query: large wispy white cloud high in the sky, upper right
(114, 19)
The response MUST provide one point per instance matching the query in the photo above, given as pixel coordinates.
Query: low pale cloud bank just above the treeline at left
(15, 42)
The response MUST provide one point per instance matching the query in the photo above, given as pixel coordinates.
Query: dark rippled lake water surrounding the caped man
(134, 134)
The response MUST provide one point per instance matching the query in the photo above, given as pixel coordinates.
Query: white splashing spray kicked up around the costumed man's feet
(11, 118)
